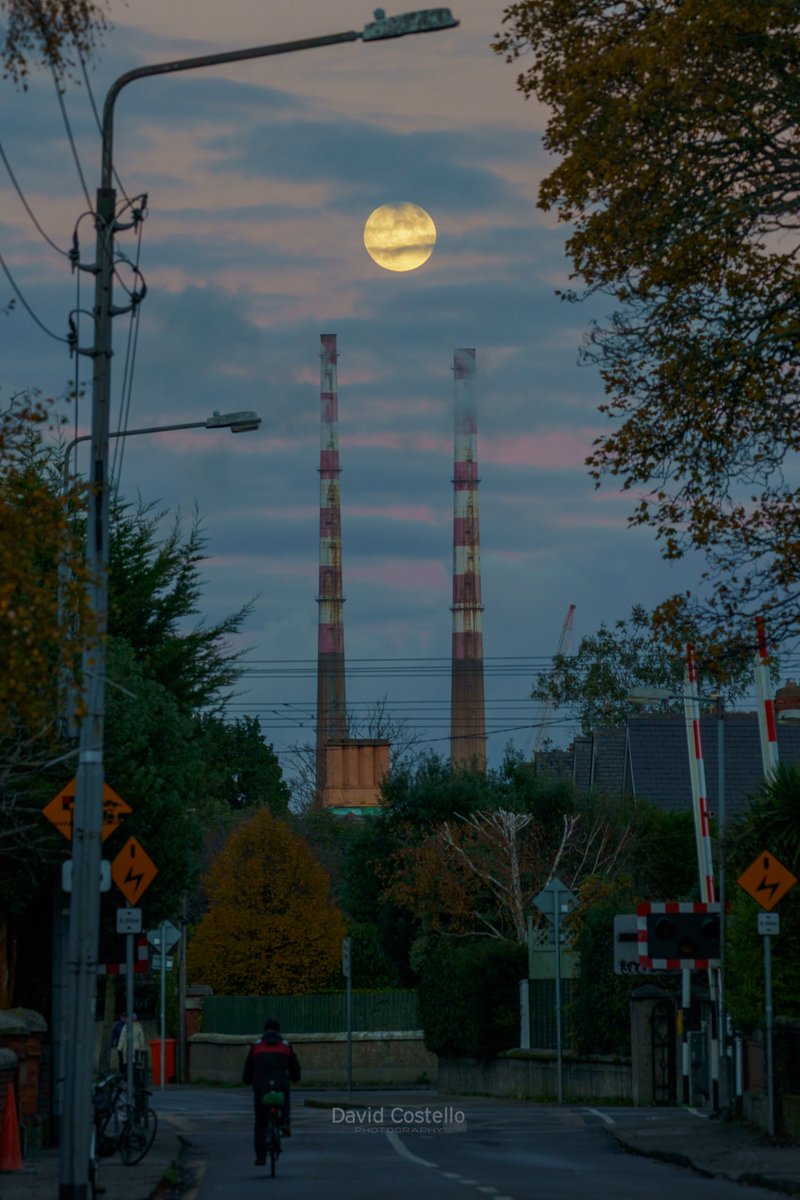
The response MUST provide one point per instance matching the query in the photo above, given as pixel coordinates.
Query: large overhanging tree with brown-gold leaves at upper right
(676, 124)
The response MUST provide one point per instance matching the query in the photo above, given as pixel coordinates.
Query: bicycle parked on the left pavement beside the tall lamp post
(119, 1126)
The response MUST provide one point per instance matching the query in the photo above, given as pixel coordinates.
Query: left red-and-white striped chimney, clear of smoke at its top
(332, 718)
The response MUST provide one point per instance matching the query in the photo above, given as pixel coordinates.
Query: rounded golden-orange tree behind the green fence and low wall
(272, 927)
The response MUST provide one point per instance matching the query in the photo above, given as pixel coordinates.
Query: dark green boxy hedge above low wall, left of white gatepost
(470, 998)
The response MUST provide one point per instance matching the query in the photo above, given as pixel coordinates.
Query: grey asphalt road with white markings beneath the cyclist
(410, 1145)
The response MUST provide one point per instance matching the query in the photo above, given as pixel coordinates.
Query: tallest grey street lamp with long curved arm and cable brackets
(85, 910)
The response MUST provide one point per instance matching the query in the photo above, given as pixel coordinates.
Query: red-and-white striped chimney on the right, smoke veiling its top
(467, 715)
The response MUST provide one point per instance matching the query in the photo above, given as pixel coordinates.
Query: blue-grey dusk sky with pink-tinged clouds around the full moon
(260, 179)
